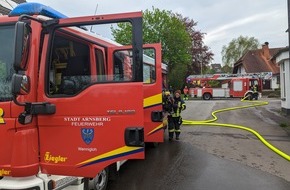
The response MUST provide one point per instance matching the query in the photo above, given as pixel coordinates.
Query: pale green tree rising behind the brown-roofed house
(237, 48)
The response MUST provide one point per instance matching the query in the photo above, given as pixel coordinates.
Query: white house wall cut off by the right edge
(282, 58)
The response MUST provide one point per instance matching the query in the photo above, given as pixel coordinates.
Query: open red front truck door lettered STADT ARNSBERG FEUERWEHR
(99, 114)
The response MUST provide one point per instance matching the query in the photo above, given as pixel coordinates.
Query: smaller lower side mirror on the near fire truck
(20, 84)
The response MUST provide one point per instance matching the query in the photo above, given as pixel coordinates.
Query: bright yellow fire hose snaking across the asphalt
(255, 103)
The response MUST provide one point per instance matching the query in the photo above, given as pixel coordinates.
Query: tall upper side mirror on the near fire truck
(22, 46)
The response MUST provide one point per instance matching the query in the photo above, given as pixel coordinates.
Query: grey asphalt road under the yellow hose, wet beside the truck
(217, 158)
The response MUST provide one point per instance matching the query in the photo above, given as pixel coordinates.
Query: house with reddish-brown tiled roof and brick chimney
(257, 61)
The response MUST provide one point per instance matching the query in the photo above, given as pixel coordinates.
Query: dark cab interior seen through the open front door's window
(69, 69)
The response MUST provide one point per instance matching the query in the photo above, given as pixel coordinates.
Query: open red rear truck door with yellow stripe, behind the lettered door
(152, 78)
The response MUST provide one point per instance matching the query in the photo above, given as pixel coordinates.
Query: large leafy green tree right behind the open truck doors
(169, 29)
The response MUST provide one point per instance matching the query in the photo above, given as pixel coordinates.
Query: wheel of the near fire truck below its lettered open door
(100, 182)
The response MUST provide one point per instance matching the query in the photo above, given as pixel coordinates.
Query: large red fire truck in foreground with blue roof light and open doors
(73, 105)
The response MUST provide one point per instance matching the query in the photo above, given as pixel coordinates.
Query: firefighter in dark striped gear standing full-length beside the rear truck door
(175, 119)
